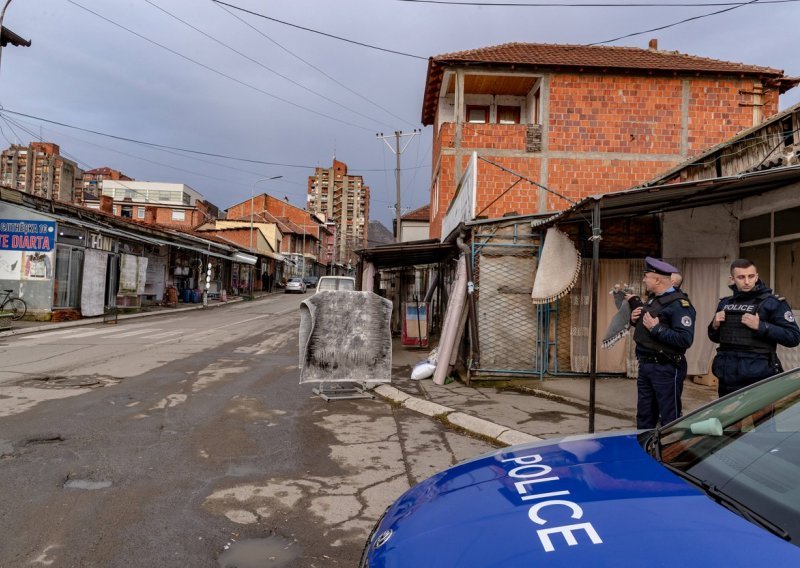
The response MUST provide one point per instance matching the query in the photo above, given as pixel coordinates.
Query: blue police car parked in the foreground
(718, 487)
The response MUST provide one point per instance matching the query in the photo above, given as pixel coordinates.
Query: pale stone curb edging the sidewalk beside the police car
(477, 426)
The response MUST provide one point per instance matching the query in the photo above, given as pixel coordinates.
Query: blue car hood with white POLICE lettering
(595, 501)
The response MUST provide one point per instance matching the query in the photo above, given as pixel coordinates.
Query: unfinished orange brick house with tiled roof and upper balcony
(579, 120)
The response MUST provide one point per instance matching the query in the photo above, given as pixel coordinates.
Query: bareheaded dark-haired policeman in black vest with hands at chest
(749, 326)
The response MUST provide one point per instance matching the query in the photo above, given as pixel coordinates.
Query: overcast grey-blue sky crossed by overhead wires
(198, 75)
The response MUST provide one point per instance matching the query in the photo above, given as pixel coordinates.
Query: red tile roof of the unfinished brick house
(588, 58)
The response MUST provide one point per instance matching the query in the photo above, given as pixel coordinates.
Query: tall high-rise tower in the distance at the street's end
(344, 200)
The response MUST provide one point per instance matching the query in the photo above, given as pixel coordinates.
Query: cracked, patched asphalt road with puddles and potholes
(185, 440)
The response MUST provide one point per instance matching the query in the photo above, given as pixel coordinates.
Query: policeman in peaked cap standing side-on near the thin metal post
(664, 330)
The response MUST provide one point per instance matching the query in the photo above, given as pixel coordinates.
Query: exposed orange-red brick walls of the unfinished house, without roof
(634, 115)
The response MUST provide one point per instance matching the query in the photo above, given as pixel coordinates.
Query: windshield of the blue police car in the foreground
(744, 451)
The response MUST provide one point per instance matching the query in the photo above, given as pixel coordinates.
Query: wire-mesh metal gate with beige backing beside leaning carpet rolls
(514, 334)
